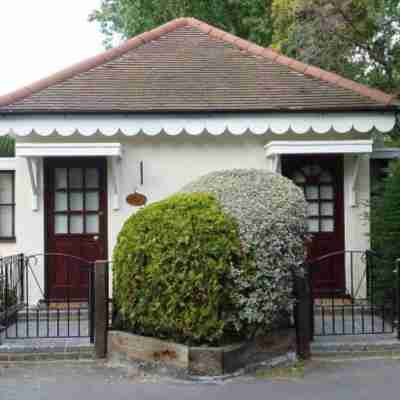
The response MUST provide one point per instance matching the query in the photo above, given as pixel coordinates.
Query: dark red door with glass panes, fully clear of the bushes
(76, 218)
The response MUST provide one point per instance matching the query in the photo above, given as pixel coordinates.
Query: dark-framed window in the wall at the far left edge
(7, 205)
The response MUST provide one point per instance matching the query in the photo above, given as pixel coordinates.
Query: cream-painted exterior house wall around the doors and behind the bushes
(169, 163)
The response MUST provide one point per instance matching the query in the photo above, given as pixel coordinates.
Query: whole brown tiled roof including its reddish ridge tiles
(188, 65)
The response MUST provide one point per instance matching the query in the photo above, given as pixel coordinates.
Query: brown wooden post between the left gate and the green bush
(100, 308)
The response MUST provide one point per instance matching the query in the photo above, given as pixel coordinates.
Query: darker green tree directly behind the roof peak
(249, 19)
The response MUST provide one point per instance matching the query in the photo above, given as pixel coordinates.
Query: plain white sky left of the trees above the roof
(39, 37)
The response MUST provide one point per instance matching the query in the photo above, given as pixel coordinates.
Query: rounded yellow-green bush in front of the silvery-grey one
(171, 266)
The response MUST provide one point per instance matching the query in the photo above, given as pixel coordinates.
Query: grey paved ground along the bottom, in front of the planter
(367, 379)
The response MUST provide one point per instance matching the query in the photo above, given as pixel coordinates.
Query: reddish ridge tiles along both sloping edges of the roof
(211, 31)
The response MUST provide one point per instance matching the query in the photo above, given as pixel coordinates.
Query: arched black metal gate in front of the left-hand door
(64, 310)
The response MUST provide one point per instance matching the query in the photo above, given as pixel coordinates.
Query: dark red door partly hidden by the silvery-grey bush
(321, 178)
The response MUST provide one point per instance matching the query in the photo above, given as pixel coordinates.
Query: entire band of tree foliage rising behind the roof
(359, 39)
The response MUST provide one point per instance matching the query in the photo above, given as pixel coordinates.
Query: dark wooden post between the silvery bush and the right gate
(303, 316)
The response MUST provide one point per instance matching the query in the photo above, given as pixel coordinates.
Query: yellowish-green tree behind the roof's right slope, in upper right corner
(359, 39)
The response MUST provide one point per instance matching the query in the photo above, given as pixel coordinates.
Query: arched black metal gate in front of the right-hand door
(353, 293)
